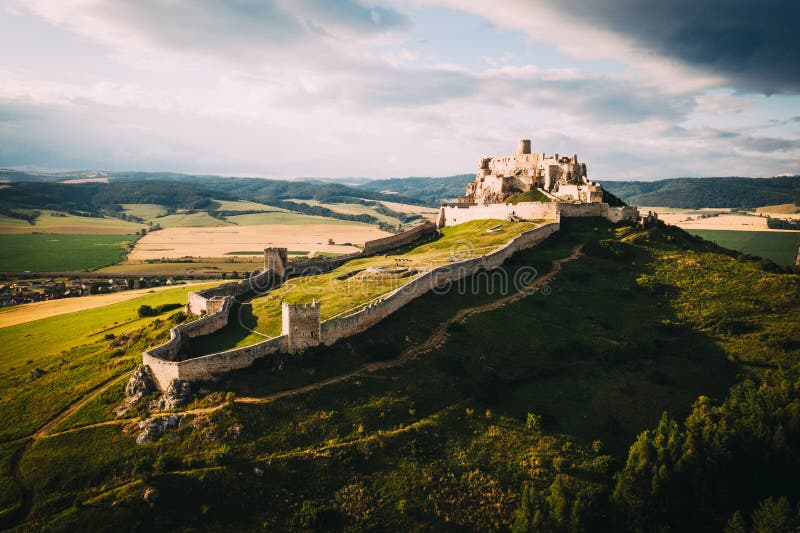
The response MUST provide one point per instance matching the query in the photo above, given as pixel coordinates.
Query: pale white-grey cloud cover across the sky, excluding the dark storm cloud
(312, 87)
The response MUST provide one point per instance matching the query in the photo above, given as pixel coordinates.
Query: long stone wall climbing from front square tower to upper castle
(339, 328)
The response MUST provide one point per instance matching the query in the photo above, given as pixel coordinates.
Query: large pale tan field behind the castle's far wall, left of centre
(218, 242)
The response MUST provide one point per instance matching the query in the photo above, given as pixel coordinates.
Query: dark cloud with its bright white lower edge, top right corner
(752, 46)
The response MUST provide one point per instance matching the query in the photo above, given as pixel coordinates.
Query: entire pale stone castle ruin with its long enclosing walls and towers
(565, 192)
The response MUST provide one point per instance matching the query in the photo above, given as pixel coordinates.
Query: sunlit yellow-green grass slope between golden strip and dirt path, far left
(75, 353)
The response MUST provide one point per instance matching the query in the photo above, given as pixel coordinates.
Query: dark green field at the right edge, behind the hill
(779, 246)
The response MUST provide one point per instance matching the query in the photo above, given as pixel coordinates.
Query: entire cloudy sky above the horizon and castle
(362, 88)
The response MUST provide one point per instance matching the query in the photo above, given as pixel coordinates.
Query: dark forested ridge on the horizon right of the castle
(696, 193)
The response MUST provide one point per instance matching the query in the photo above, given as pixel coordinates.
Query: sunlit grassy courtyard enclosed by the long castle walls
(351, 285)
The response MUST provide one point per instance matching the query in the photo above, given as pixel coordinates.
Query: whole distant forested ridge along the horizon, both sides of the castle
(691, 193)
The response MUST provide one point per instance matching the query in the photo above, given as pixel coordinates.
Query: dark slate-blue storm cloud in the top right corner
(755, 44)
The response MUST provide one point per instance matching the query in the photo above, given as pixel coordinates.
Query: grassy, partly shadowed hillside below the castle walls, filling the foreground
(541, 413)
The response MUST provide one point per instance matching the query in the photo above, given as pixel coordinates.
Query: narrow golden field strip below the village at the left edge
(20, 314)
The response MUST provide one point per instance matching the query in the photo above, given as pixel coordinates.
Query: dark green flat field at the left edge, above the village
(54, 253)
